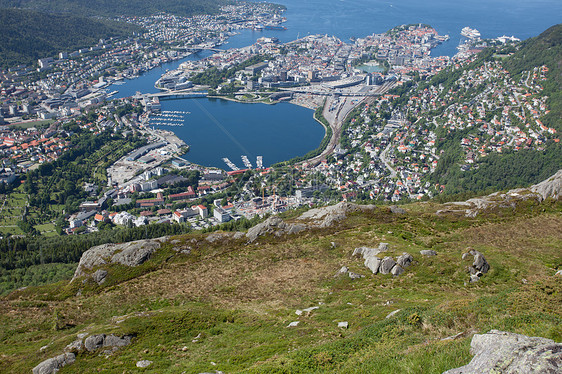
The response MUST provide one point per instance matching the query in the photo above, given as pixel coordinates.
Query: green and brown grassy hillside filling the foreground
(226, 305)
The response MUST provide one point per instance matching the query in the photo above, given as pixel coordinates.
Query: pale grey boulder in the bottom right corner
(509, 353)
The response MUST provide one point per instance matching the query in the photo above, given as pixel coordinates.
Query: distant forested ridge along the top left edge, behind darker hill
(110, 8)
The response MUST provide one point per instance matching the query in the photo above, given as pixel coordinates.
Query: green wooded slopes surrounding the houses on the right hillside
(512, 169)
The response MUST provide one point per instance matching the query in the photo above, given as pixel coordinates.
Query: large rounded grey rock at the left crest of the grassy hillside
(128, 254)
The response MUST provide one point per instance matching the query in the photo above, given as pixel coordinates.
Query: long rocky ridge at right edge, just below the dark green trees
(550, 188)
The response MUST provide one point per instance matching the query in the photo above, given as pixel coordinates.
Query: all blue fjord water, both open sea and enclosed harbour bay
(283, 131)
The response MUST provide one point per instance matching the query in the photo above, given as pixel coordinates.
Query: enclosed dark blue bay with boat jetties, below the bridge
(217, 128)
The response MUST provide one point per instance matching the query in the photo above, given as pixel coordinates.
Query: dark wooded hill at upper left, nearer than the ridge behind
(29, 35)
